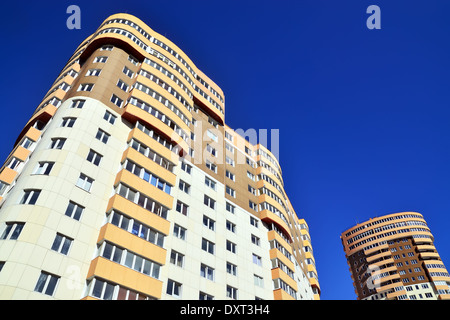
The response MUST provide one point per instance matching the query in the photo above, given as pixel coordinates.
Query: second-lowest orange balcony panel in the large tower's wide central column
(133, 243)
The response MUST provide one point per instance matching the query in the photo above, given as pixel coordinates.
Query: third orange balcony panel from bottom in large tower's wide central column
(134, 211)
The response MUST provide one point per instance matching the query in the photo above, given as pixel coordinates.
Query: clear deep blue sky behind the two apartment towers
(363, 114)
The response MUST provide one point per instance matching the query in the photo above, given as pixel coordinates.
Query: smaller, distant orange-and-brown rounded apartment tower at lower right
(393, 258)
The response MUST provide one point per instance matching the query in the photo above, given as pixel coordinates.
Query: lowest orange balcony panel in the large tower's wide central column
(126, 277)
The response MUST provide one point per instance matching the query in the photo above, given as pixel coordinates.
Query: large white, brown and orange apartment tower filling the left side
(126, 183)
